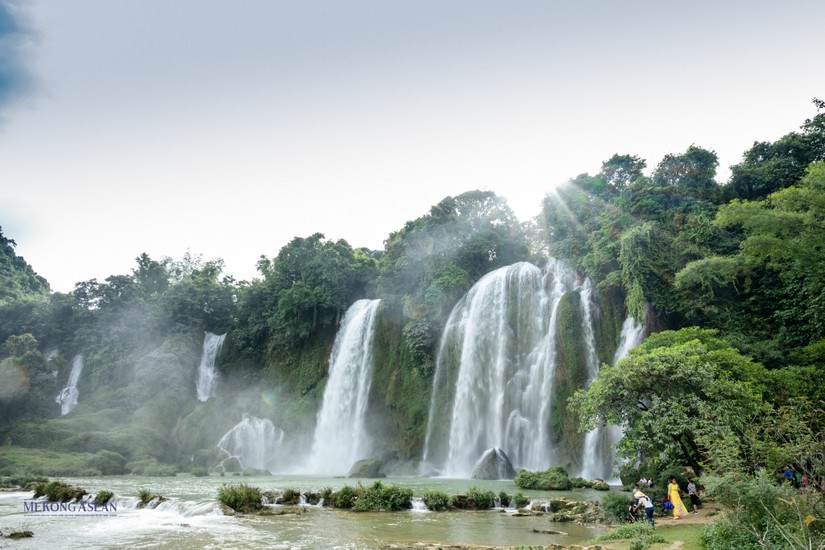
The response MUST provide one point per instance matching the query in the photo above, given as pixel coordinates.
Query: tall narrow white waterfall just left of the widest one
(340, 434)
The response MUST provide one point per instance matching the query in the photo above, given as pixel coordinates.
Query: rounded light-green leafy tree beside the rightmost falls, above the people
(674, 394)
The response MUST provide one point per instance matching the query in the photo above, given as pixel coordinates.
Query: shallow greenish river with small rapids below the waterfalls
(191, 518)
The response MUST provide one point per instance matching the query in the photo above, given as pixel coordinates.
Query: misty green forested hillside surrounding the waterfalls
(741, 260)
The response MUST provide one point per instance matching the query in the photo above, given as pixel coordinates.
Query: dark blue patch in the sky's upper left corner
(16, 43)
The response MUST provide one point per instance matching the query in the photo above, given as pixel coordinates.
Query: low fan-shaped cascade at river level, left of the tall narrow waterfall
(253, 443)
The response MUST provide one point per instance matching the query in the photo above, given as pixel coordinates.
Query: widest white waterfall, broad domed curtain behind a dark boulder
(501, 339)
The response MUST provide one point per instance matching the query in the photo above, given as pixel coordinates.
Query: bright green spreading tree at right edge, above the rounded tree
(774, 281)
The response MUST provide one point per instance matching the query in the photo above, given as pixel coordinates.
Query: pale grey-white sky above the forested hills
(227, 128)
